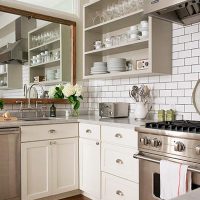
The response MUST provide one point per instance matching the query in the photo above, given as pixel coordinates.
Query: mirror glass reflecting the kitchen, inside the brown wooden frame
(33, 51)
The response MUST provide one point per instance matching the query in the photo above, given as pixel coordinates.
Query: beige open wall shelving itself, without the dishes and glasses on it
(156, 48)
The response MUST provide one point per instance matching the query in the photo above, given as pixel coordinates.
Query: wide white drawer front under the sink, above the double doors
(48, 132)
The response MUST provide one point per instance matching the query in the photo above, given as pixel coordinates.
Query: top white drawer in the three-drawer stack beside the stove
(121, 136)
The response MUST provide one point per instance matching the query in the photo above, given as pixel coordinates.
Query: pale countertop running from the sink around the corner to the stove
(118, 122)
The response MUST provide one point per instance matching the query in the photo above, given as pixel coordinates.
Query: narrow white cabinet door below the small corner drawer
(89, 165)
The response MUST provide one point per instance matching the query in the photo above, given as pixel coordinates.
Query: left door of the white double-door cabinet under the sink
(36, 177)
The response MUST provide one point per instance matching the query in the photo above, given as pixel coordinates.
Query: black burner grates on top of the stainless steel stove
(179, 125)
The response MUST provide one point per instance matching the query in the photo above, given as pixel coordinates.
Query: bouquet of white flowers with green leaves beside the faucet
(73, 93)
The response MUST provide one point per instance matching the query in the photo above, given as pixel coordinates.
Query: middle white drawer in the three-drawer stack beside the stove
(119, 161)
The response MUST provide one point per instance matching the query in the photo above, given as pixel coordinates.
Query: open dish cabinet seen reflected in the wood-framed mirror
(50, 54)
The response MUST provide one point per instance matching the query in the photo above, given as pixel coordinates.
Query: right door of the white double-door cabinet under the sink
(65, 165)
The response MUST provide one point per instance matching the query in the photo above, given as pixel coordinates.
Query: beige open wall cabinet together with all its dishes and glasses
(119, 41)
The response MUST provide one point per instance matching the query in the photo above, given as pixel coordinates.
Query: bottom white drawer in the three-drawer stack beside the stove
(114, 188)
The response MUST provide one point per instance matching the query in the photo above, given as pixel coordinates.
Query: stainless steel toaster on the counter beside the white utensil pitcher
(113, 110)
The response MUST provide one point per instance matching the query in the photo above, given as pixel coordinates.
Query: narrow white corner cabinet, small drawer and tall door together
(89, 160)
